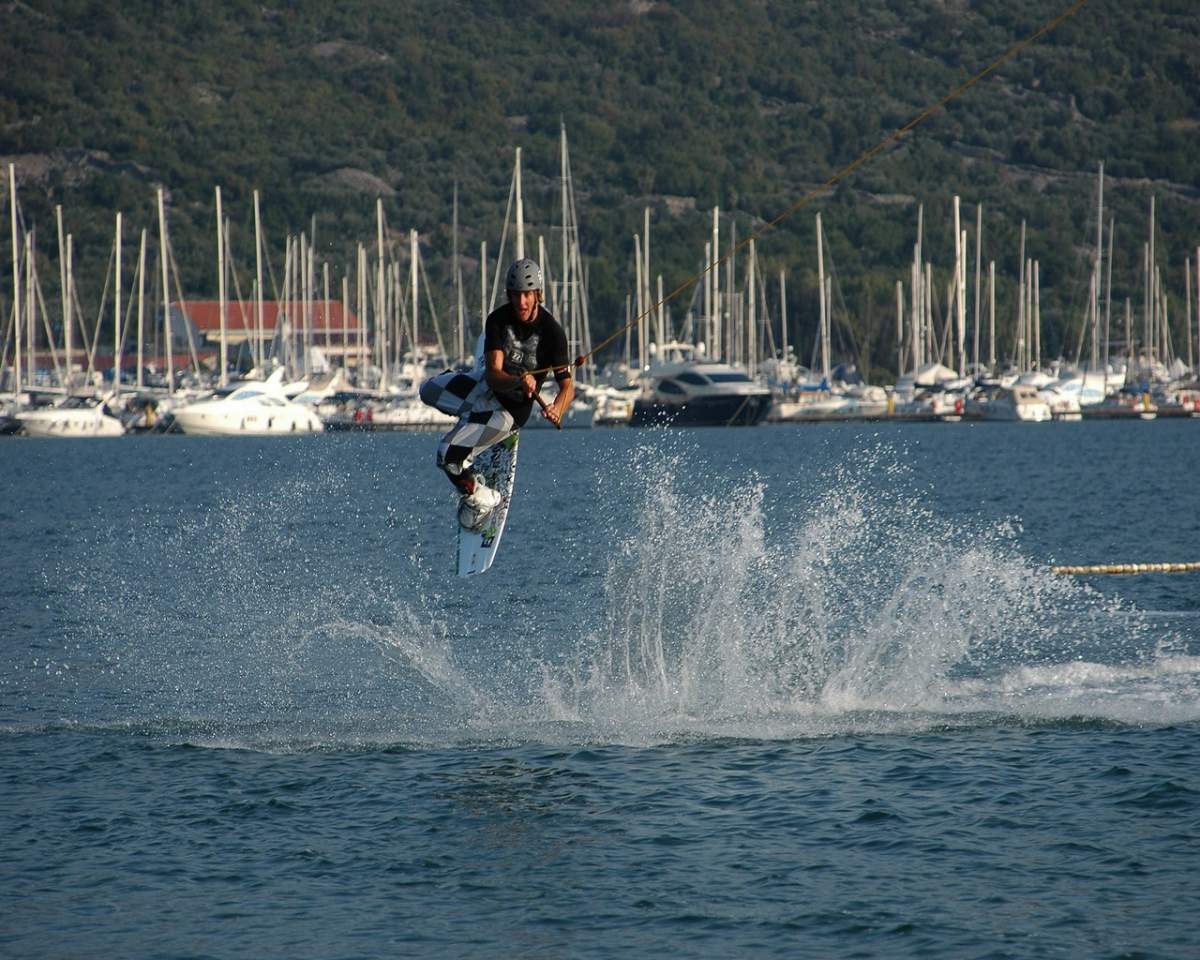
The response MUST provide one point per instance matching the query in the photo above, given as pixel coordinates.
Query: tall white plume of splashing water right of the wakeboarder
(721, 611)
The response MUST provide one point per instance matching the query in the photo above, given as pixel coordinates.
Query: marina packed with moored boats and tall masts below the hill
(730, 358)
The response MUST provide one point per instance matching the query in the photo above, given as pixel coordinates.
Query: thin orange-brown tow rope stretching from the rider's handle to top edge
(896, 136)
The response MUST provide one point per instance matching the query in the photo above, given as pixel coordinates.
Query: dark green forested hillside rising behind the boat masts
(677, 106)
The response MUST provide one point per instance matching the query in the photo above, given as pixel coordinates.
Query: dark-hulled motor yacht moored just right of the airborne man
(687, 392)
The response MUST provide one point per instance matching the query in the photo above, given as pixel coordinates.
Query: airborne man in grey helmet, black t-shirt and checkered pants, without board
(496, 401)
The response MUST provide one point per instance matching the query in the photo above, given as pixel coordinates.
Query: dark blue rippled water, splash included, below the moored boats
(787, 692)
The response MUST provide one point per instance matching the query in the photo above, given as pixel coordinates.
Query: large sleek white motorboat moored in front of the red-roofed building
(253, 410)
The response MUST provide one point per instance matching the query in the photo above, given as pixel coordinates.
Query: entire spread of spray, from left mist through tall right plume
(728, 604)
